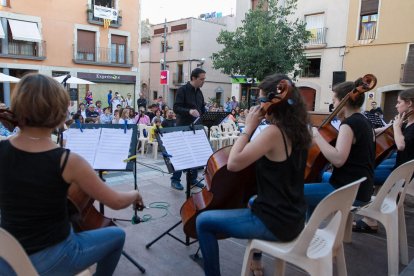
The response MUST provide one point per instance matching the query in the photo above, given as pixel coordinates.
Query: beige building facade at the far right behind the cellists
(380, 41)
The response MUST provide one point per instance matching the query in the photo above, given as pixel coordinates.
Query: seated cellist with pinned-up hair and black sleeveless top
(352, 156)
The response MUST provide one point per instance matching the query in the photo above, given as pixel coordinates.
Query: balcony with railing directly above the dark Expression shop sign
(103, 57)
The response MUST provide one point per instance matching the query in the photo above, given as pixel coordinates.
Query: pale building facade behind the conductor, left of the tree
(190, 43)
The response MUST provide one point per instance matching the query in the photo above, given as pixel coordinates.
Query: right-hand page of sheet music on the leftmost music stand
(113, 149)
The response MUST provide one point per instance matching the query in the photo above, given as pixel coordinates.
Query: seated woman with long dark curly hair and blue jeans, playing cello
(280, 151)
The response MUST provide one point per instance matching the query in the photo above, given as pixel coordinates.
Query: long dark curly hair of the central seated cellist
(291, 116)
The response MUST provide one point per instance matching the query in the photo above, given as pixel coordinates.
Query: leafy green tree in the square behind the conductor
(269, 41)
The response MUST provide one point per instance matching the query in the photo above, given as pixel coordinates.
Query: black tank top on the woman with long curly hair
(280, 202)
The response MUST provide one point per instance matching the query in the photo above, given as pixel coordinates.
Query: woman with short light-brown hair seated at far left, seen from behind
(35, 177)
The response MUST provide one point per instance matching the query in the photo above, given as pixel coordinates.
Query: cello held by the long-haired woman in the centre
(225, 189)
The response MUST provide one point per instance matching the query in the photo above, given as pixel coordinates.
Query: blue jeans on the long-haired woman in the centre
(237, 223)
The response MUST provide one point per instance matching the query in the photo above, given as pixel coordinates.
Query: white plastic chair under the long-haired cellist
(314, 249)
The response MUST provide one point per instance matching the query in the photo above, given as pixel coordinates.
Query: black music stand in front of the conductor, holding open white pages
(167, 158)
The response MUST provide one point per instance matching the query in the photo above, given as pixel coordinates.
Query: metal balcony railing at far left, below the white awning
(26, 49)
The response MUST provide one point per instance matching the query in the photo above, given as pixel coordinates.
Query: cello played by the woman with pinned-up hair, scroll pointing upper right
(316, 161)
